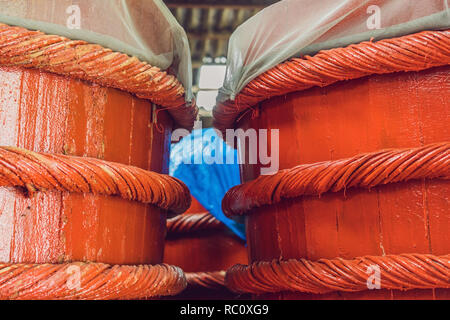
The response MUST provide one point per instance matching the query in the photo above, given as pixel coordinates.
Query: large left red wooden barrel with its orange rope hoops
(84, 180)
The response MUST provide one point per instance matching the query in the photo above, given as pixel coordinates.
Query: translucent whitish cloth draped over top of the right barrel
(293, 28)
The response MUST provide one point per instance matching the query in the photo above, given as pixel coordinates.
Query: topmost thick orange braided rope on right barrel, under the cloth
(413, 52)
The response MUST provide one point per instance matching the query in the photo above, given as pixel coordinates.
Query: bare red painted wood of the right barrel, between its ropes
(343, 120)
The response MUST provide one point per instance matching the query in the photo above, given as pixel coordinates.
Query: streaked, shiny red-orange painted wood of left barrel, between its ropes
(48, 113)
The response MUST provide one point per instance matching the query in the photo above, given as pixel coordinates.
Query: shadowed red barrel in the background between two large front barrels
(203, 247)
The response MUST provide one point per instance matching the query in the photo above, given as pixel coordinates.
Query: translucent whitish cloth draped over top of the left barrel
(144, 29)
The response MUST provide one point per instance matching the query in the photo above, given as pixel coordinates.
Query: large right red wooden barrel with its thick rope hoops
(361, 201)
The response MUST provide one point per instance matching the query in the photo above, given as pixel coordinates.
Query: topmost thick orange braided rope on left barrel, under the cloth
(79, 59)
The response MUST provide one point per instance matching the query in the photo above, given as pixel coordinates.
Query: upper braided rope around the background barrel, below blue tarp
(187, 223)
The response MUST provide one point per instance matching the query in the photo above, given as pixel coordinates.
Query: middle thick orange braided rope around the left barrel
(40, 171)
